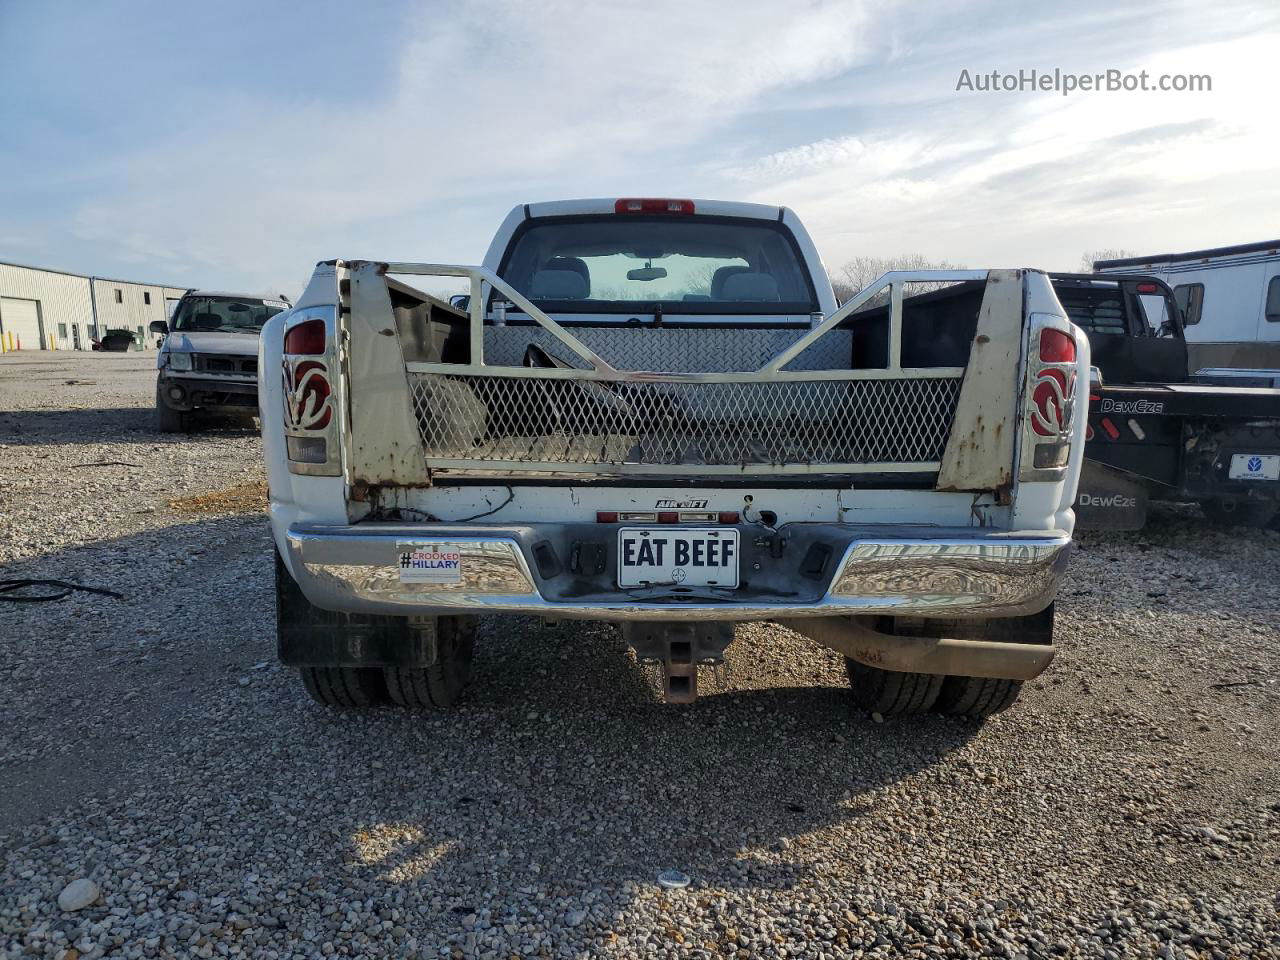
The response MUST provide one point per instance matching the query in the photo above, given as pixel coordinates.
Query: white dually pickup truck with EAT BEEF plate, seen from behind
(653, 413)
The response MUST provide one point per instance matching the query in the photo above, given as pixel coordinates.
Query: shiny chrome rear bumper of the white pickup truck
(356, 570)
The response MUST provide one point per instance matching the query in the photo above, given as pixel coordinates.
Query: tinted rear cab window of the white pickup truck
(629, 266)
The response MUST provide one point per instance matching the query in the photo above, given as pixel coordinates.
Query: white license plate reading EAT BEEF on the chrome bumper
(678, 557)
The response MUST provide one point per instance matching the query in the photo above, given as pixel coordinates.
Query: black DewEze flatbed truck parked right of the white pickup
(1158, 431)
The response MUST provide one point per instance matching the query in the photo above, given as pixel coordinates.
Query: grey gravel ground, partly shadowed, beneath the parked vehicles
(1130, 804)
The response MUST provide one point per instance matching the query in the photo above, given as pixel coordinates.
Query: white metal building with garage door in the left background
(53, 310)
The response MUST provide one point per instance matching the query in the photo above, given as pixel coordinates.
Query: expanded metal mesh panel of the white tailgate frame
(776, 423)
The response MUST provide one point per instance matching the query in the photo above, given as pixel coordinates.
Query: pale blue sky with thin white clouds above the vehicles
(235, 144)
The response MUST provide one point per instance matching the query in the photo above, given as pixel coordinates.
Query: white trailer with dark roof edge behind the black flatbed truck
(1231, 303)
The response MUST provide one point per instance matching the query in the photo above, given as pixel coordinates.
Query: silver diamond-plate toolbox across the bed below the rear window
(671, 350)
